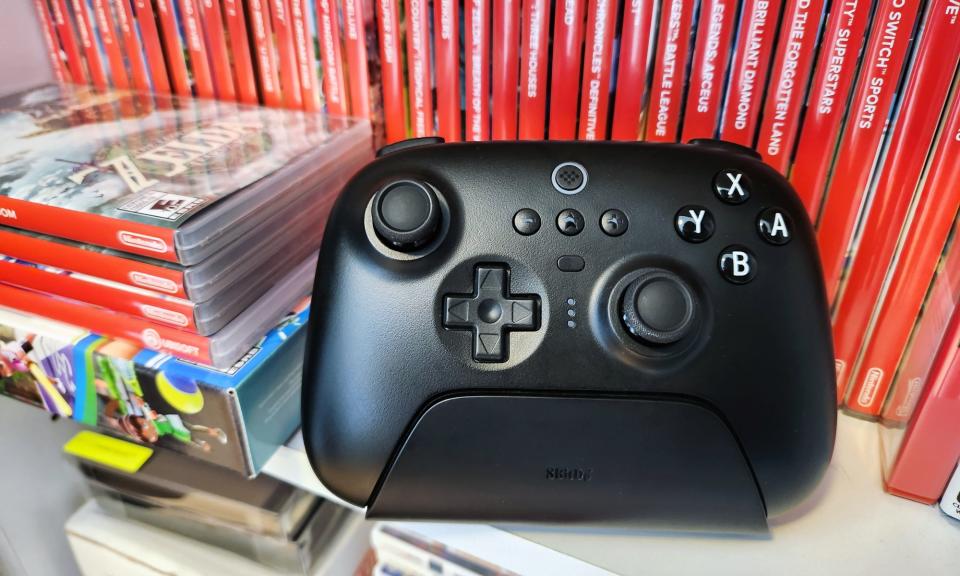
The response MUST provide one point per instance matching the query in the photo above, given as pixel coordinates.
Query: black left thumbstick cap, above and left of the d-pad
(406, 215)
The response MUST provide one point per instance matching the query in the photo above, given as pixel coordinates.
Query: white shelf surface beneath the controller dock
(848, 526)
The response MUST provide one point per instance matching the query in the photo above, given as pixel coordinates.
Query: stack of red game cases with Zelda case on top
(187, 227)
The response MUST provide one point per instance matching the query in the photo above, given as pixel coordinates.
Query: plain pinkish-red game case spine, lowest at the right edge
(930, 446)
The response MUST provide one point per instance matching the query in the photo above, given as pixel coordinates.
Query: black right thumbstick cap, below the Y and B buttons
(658, 307)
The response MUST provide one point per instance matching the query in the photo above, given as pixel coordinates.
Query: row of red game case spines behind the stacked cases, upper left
(144, 48)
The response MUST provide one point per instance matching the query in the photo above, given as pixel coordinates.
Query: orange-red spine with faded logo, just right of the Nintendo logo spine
(929, 340)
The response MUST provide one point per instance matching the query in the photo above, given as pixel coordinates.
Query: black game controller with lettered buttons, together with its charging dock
(601, 333)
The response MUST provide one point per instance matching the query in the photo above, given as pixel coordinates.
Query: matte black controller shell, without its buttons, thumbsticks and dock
(758, 353)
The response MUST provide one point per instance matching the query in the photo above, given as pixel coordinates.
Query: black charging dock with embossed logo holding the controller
(658, 463)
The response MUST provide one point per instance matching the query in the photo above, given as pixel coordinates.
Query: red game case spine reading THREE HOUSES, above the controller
(534, 61)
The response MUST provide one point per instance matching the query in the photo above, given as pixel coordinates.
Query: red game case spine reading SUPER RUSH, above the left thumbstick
(391, 73)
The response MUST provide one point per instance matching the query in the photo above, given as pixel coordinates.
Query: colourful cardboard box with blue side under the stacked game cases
(234, 418)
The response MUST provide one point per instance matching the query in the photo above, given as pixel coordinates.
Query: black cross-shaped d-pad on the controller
(491, 312)
